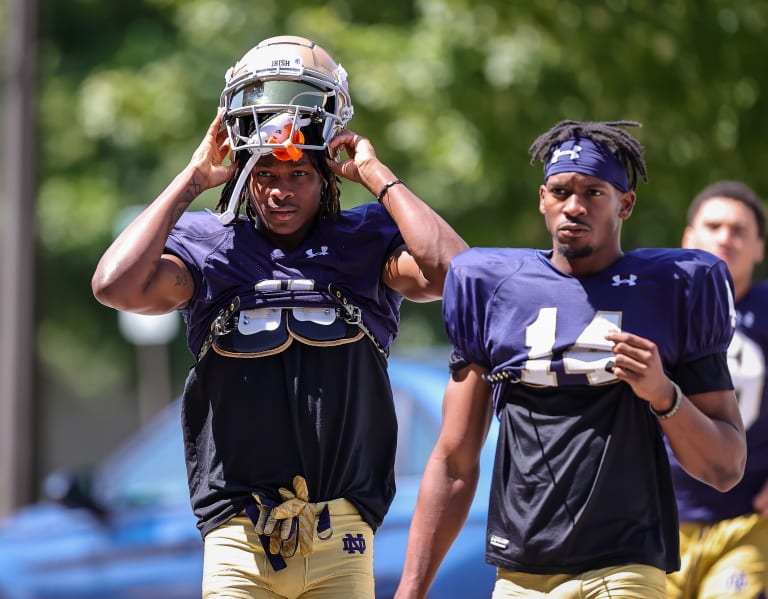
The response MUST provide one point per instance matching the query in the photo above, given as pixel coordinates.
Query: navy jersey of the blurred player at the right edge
(698, 502)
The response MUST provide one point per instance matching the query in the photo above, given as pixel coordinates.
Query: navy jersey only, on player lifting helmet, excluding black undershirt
(349, 252)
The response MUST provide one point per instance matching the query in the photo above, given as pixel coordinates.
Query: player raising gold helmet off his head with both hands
(291, 305)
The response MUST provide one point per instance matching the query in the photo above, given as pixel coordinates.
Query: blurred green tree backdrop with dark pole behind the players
(104, 102)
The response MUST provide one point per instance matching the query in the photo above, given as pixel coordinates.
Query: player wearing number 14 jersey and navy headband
(588, 356)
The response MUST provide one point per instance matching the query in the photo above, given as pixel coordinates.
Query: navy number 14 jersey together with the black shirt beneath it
(581, 478)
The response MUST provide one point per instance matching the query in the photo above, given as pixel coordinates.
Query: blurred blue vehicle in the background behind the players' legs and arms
(125, 530)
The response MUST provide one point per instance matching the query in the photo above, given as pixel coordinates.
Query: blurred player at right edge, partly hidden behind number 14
(724, 536)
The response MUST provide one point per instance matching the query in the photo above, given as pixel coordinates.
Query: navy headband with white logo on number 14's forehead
(582, 155)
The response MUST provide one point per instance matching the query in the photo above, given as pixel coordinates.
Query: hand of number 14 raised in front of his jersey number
(637, 362)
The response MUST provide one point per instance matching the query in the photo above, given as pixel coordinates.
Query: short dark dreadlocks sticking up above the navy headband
(626, 148)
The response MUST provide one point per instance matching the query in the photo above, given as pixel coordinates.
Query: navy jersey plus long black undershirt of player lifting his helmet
(319, 409)
